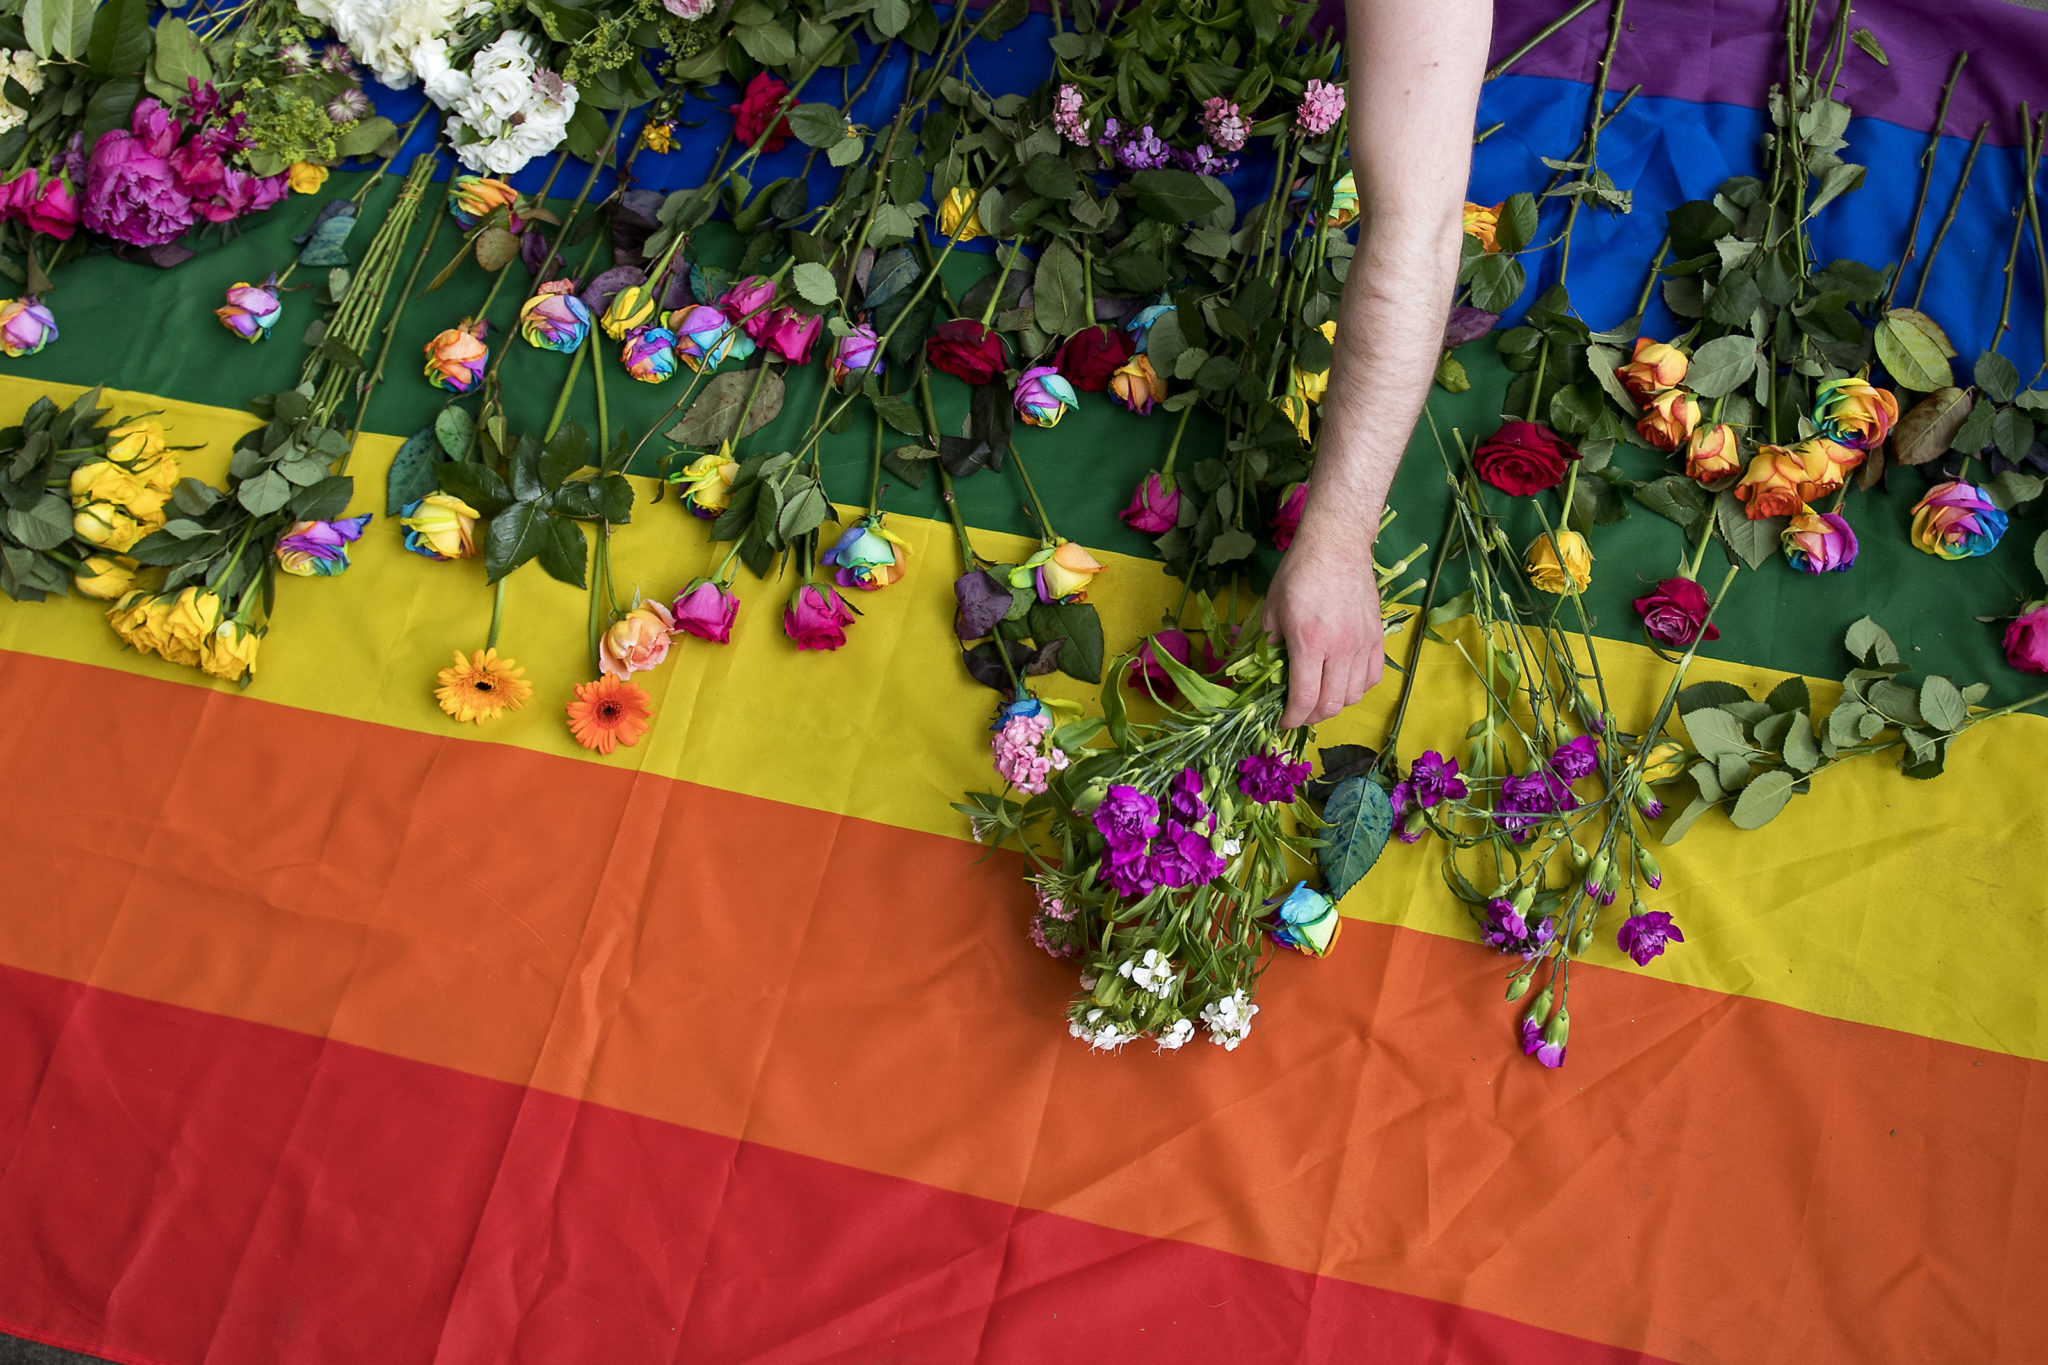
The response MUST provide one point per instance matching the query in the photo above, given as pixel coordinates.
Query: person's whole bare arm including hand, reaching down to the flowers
(1414, 91)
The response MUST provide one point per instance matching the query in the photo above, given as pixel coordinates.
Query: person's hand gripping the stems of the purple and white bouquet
(1326, 605)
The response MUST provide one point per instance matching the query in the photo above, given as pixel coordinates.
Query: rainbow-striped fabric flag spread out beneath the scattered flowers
(335, 1034)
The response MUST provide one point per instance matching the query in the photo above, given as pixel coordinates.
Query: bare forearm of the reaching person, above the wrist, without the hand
(1416, 69)
